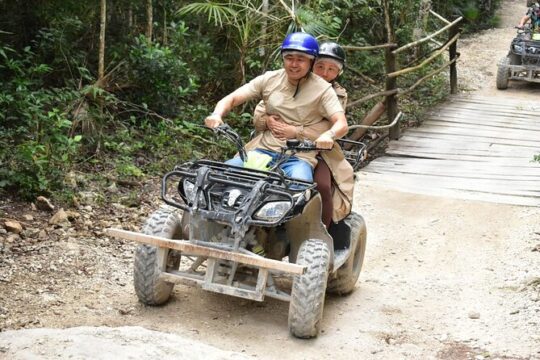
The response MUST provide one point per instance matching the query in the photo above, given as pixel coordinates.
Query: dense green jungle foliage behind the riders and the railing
(166, 63)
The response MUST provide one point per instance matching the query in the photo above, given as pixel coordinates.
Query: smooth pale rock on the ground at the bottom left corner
(128, 342)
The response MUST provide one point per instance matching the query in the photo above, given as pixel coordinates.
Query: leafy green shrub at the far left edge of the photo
(36, 147)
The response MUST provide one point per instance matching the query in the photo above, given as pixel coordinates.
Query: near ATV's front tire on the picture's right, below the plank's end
(308, 291)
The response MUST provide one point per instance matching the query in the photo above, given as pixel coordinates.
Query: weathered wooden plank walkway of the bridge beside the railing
(478, 148)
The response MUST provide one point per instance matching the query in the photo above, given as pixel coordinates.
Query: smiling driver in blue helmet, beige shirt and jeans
(299, 97)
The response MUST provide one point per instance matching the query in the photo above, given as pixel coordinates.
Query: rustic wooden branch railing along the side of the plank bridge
(392, 92)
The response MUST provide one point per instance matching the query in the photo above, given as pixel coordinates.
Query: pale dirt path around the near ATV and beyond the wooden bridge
(442, 279)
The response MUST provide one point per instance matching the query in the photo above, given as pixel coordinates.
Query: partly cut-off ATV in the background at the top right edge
(523, 59)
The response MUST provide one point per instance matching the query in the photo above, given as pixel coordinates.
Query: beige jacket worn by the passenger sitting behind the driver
(342, 171)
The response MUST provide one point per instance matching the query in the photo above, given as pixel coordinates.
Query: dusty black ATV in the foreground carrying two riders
(248, 233)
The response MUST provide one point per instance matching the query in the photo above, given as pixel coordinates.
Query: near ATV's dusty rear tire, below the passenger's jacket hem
(347, 275)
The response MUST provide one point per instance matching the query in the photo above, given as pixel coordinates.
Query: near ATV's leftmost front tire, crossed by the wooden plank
(151, 261)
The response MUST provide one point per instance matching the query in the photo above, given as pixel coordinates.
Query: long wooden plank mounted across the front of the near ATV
(186, 246)
